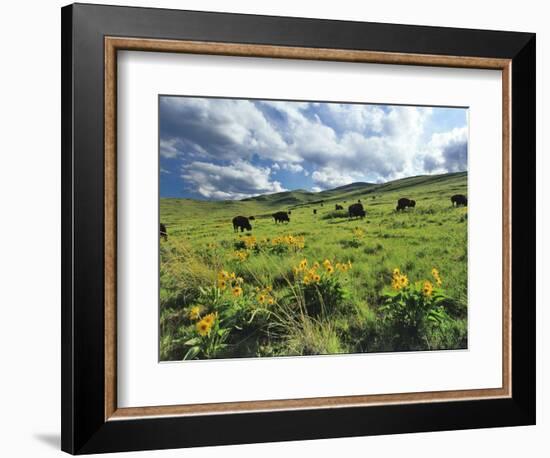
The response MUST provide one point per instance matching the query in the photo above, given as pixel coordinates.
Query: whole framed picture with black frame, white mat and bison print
(282, 228)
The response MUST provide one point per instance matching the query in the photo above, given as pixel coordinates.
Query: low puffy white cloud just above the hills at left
(238, 180)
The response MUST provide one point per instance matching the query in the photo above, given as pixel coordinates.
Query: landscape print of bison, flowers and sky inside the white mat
(299, 228)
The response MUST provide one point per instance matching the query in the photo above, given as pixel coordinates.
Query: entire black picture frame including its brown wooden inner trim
(89, 424)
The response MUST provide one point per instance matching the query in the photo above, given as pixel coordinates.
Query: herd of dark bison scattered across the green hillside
(354, 211)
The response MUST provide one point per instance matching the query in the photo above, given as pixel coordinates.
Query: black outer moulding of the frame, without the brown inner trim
(84, 429)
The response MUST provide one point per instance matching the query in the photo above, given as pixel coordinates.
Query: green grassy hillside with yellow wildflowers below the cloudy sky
(270, 291)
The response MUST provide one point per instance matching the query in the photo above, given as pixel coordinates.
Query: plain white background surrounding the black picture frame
(30, 226)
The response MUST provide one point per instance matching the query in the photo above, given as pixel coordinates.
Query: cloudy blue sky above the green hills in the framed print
(214, 148)
